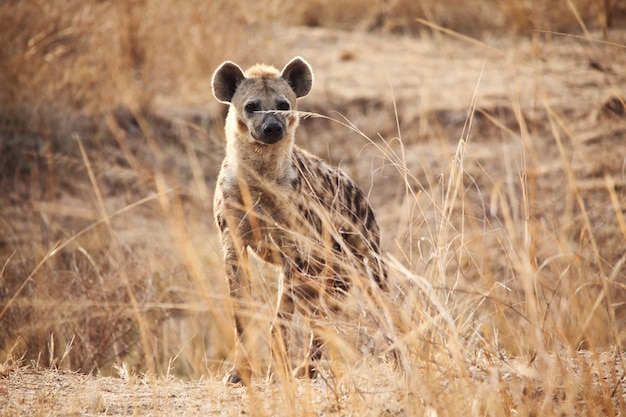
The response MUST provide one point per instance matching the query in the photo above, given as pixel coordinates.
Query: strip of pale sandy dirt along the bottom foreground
(374, 390)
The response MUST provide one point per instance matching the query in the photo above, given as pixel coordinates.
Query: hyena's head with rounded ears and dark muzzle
(261, 98)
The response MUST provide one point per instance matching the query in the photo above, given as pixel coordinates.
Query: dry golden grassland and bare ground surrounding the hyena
(490, 137)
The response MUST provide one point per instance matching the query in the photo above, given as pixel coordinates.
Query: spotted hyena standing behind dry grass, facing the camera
(290, 208)
